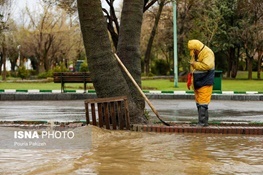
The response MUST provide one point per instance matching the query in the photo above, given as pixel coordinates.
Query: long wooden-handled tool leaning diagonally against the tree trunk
(139, 89)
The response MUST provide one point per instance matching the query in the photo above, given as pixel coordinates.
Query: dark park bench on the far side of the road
(72, 77)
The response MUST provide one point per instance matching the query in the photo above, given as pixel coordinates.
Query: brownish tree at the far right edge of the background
(252, 33)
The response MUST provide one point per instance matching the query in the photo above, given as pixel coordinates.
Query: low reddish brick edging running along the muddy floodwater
(178, 128)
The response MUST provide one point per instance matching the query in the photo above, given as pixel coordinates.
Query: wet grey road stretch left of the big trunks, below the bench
(42, 110)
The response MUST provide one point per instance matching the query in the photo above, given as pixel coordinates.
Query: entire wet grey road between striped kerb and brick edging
(169, 110)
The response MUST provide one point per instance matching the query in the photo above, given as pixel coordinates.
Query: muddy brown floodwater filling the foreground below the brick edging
(138, 153)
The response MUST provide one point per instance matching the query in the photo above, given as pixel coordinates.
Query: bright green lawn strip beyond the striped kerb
(158, 84)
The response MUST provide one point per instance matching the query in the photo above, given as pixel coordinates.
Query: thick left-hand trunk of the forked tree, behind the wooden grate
(106, 74)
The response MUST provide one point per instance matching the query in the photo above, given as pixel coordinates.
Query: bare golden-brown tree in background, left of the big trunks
(50, 39)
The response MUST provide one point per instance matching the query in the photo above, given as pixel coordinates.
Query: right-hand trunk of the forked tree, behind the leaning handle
(129, 48)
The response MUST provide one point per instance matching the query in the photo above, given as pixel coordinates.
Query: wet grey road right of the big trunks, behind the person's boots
(228, 111)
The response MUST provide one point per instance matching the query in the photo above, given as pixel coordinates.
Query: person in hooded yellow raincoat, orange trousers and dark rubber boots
(202, 67)
